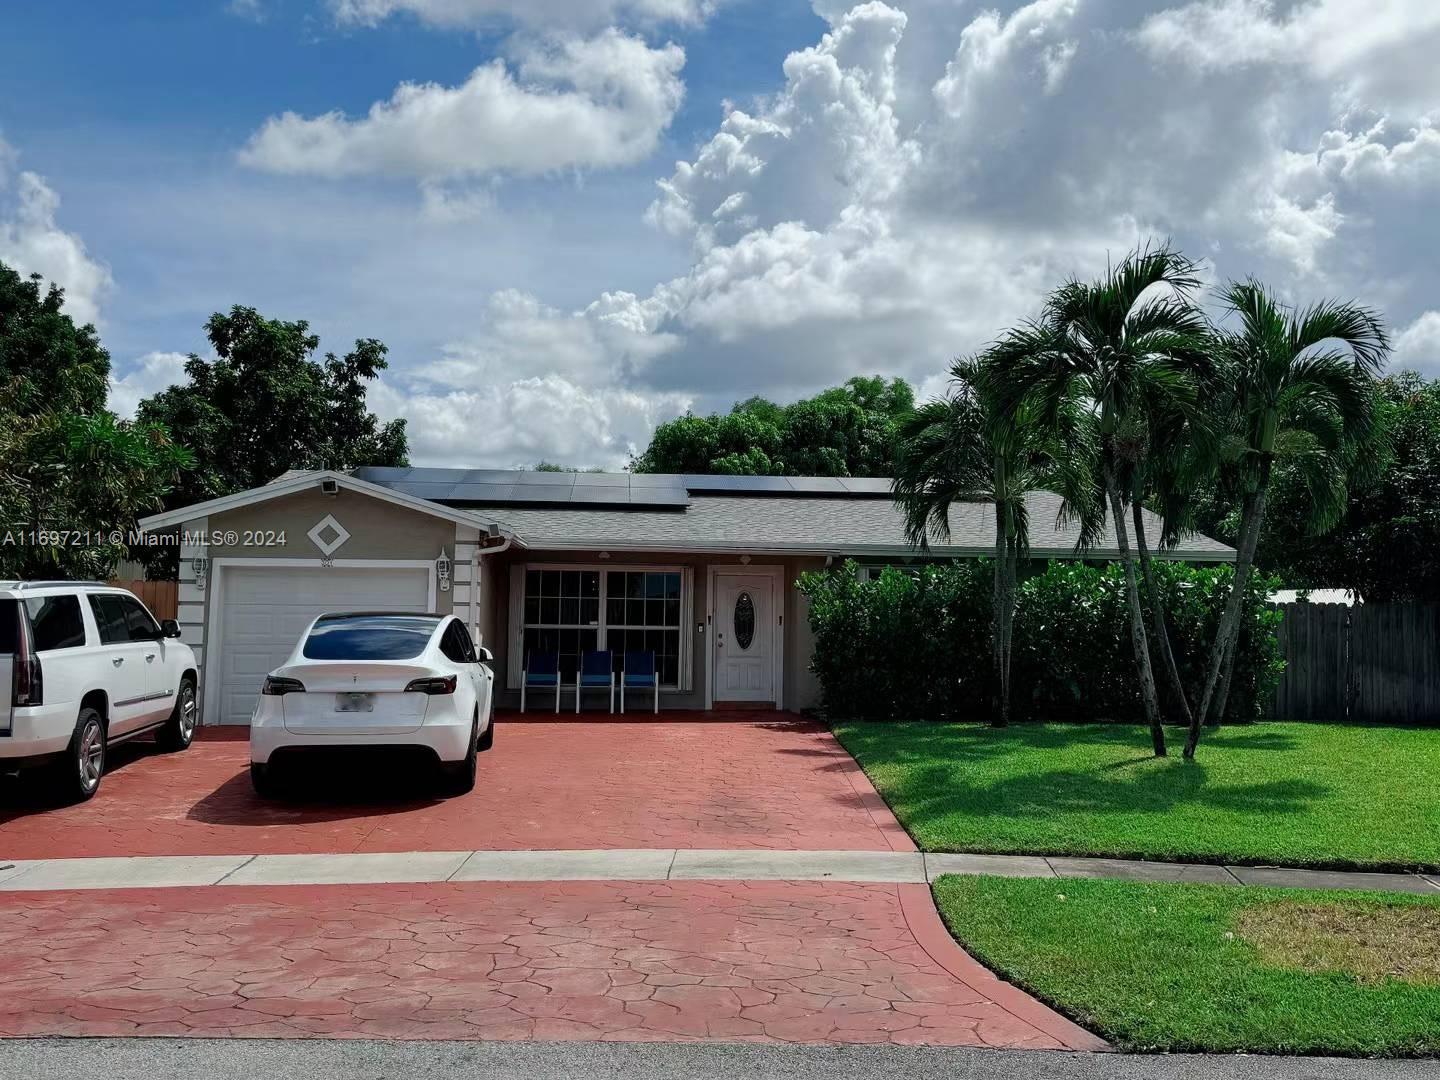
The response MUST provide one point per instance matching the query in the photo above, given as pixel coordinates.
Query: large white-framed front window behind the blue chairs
(574, 611)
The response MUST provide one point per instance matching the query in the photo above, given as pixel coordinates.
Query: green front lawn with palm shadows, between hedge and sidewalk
(1287, 794)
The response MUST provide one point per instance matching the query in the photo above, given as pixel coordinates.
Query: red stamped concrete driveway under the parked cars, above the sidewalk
(761, 784)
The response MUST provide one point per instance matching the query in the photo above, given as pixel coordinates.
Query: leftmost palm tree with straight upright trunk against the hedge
(957, 450)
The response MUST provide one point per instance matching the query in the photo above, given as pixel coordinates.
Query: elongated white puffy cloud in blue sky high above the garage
(577, 103)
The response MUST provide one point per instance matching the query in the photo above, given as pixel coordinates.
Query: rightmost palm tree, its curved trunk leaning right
(1302, 390)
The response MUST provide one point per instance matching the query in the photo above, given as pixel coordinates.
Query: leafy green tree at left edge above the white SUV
(67, 466)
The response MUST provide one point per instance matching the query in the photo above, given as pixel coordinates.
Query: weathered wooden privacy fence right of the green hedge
(1372, 663)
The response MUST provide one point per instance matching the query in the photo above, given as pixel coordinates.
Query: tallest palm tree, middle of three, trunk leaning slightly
(1121, 351)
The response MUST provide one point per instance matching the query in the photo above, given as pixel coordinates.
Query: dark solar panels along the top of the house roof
(604, 489)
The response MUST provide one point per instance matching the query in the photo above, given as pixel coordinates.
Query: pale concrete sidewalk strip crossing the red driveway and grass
(644, 865)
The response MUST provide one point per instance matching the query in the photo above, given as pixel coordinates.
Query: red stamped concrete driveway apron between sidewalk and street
(557, 961)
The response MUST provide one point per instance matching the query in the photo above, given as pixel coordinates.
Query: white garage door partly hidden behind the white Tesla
(266, 611)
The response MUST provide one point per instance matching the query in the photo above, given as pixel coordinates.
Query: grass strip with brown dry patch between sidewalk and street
(1169, 967)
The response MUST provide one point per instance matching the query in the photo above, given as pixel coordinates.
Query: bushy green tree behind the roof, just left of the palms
(847, 431)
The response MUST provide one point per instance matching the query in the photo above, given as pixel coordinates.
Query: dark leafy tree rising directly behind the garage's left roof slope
(266, 405)
